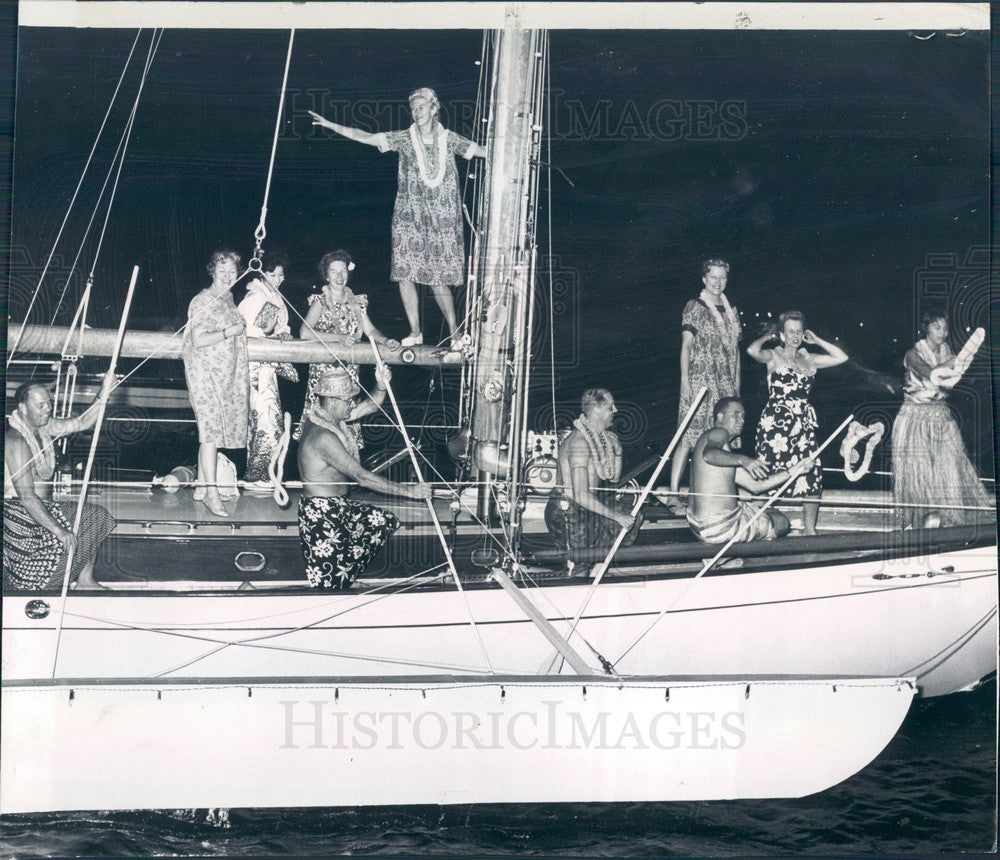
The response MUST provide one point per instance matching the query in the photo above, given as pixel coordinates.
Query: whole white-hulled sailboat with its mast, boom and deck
(503, 673)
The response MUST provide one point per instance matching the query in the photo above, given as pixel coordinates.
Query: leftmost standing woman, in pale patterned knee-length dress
(217, 373)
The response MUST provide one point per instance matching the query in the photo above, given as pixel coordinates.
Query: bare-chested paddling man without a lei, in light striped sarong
(715, 512)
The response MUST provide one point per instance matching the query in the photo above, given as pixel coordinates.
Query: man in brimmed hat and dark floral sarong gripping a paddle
(340, 536)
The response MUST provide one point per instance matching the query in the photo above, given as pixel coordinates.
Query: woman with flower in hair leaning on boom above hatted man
(336, 317)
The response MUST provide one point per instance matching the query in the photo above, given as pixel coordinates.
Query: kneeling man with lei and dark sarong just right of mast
(578, 515)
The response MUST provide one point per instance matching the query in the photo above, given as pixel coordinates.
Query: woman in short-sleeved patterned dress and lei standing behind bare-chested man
(710, 333)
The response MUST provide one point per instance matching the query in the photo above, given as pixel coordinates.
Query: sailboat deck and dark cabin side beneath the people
(167, 540)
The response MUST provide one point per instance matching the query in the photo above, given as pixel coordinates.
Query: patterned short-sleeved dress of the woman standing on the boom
(428, 245)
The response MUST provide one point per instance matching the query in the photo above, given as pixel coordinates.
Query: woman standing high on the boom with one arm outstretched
(428, 245)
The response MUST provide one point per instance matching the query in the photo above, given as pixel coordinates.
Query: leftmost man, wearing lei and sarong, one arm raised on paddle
(38, 532)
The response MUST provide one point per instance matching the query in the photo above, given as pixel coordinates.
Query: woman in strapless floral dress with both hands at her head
(786, 432)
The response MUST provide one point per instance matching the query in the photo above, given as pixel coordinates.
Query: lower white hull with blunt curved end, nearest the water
(437, 741)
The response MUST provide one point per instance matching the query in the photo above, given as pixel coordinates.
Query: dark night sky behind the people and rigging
(826, 166)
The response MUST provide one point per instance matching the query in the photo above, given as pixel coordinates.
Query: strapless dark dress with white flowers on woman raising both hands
(786, 432)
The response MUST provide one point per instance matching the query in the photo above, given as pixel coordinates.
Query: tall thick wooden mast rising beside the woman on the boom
(507, 271)
